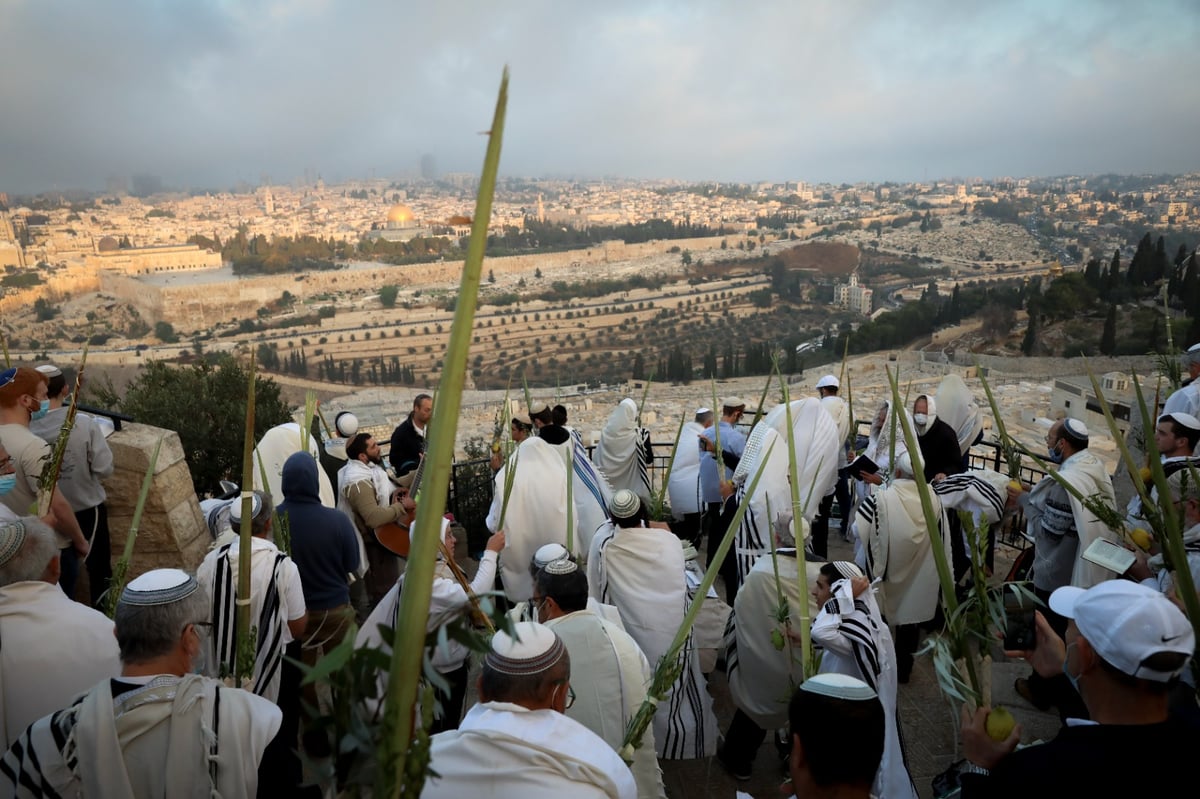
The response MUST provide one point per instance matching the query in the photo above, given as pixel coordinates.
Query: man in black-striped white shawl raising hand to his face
(857, 644)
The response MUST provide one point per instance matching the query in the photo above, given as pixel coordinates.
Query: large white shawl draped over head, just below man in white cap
(818, 455)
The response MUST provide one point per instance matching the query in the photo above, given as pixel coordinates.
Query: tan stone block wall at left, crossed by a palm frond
(172, 532)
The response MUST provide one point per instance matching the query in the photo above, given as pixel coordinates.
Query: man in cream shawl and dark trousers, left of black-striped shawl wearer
(763, 662)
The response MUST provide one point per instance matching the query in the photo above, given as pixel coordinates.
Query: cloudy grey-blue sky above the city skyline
(209, 93)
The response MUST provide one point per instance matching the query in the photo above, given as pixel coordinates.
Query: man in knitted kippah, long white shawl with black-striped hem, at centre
(641, 570)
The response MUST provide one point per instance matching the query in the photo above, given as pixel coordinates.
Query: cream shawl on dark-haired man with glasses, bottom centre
(610, 676)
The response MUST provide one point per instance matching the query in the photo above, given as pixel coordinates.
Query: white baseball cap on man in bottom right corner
(1127, 623)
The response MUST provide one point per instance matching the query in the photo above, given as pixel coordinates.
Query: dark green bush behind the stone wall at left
(205, 404)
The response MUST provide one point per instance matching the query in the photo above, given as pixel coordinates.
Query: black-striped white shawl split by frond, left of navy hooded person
(269, 647)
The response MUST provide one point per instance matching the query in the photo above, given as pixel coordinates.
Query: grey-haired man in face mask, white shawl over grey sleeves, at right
(1063, 530)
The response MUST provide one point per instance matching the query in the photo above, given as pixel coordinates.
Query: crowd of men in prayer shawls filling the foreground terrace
(599, 574)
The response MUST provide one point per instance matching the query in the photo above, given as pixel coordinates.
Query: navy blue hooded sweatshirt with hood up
(325, 544)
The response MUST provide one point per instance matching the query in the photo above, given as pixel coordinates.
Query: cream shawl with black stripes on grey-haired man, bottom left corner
(177, 738)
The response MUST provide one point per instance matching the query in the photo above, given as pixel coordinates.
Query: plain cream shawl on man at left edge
(52, 650)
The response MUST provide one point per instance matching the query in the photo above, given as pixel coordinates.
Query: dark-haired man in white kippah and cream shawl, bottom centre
(610, 674)
